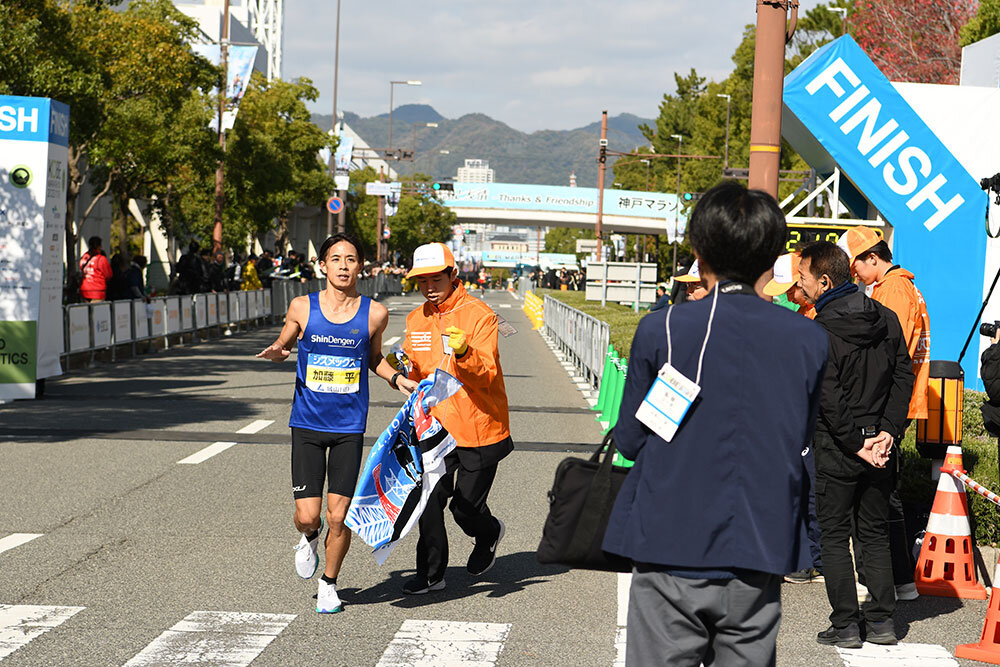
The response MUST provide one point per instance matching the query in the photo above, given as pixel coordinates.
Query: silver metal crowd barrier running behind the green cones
(582, 338)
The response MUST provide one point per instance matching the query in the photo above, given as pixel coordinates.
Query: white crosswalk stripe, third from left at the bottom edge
(429, 643)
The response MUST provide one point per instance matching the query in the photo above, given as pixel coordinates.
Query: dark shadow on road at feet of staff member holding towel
(512, 573)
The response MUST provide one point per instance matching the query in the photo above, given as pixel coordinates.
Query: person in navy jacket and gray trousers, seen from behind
(715, 517)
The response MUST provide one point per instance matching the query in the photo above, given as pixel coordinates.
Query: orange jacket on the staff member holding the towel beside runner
(477, 414)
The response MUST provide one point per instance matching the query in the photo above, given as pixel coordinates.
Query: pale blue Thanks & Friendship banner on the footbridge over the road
(562, 199)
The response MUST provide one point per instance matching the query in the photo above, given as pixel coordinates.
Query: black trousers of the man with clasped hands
(866, 497)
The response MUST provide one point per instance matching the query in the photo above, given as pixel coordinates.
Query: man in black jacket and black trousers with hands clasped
(865, 398)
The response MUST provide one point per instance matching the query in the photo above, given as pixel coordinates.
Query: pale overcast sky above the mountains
(533, 64)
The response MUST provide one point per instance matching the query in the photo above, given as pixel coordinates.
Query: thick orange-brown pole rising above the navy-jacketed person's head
(768, 80)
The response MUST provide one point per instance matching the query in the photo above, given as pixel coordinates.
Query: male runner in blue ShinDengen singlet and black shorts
(339, 334)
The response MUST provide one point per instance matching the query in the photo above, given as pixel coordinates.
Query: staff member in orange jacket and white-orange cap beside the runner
(458, 333)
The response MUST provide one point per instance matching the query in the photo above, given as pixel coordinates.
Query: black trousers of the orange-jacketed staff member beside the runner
(468, 490)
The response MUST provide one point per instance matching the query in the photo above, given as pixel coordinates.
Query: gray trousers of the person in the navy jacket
(678, 621)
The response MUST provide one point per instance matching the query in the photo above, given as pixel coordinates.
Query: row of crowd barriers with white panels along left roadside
(89, 327)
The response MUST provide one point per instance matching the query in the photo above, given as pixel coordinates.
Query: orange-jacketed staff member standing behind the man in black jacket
(892, 286)
